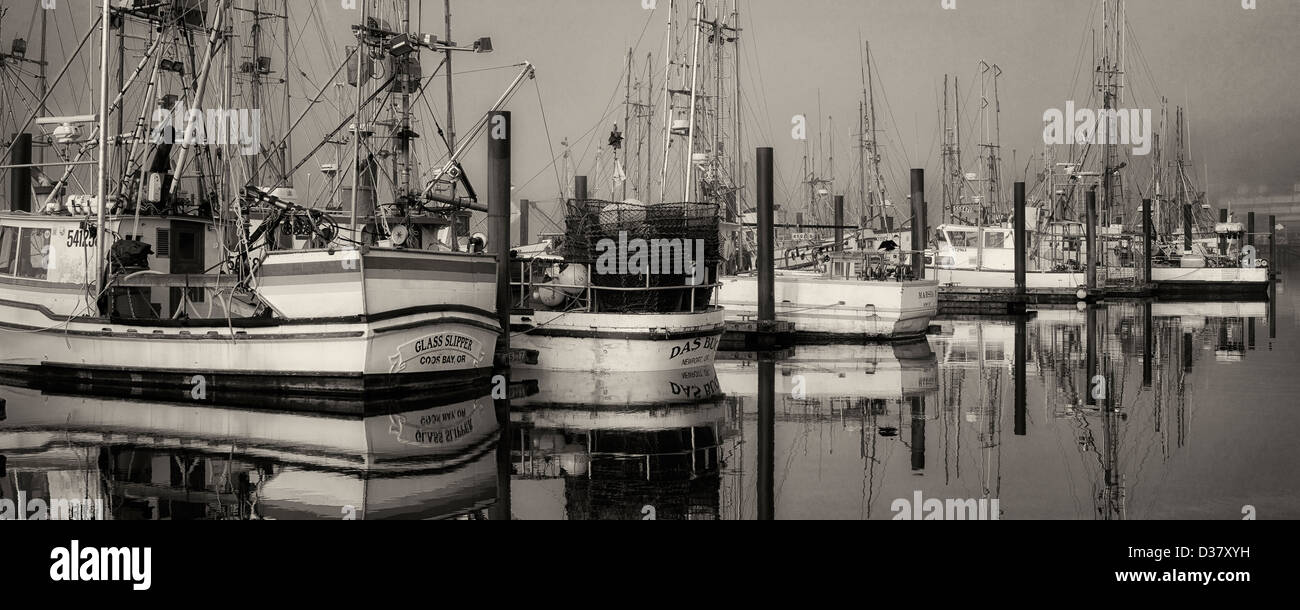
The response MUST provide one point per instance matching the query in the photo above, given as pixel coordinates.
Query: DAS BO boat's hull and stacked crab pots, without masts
(579, 314)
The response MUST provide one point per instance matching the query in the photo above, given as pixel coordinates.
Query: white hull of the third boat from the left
(838, 310)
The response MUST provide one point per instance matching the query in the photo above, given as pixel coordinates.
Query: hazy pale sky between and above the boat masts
(1234, 68)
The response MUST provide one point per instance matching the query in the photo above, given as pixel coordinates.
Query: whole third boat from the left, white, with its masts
(866, 285)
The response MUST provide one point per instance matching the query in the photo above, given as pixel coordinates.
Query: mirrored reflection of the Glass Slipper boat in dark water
(159, 461)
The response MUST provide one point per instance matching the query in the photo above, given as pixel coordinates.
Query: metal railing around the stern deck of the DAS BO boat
(554, 284)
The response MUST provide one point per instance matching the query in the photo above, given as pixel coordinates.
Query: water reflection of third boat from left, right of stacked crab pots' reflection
(831, 418)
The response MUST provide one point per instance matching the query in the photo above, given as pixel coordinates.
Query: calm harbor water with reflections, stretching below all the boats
(852, 430)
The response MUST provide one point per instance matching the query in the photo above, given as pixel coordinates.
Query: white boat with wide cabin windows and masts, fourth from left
(974, 250)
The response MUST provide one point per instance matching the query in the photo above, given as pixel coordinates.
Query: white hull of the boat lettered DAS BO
(614, 343)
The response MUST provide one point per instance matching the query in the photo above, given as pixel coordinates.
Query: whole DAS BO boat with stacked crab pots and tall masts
(632, 284)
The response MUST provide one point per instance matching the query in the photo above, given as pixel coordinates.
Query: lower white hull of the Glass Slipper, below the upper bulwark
(210, 362)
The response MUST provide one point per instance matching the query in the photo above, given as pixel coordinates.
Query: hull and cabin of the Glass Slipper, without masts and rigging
(341, 322)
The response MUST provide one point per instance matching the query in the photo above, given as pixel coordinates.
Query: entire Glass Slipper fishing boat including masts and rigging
(189, 269)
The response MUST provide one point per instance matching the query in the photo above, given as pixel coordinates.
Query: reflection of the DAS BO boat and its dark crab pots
(618, 447)
